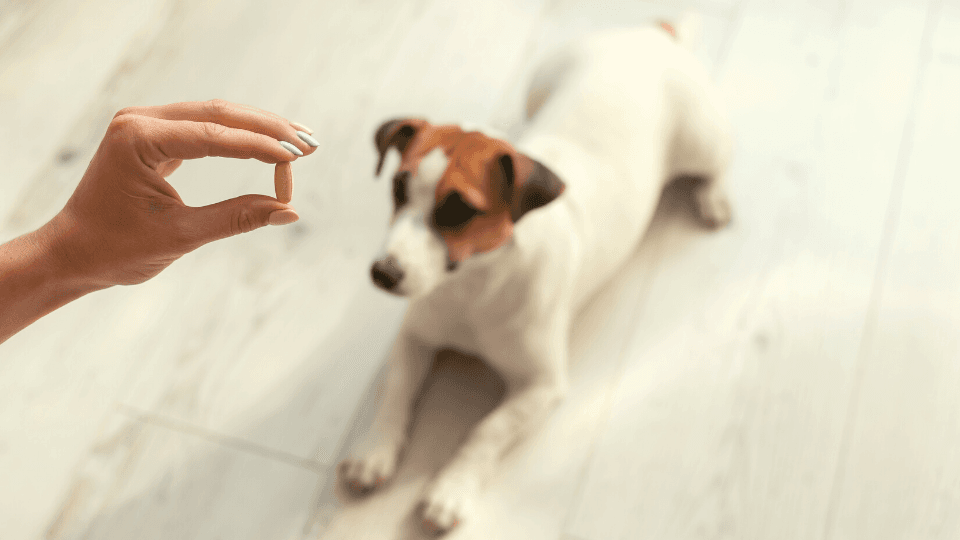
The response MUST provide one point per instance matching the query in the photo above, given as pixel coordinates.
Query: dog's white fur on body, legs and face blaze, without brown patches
(615, 116)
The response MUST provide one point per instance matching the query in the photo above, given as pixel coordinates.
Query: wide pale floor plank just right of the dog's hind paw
(724, 424)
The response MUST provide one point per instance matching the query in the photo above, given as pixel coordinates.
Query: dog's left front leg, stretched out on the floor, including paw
(374, 460)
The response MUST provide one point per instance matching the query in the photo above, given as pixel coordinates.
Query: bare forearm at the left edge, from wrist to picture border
(33, 282)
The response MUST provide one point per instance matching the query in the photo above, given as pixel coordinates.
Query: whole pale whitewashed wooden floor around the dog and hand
(795, 376)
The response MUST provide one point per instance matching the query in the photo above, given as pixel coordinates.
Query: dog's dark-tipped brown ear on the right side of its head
(540, 187)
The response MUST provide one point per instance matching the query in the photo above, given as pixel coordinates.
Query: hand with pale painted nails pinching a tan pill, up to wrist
(124, 223)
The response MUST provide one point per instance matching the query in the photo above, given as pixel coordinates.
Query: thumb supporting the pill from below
(235, 216)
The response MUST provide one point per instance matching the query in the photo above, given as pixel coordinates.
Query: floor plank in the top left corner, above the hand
(55, 57)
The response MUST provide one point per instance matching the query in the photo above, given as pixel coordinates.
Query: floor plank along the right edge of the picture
(899, 478)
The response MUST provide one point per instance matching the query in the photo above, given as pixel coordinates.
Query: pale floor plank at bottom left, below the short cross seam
(147, 481)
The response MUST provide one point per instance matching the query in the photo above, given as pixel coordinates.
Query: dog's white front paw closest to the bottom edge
(448, 500)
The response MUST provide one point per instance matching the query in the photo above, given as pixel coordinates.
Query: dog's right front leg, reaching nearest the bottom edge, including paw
(450, 496)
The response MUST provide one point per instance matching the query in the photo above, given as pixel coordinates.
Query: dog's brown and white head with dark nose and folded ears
(456, 193)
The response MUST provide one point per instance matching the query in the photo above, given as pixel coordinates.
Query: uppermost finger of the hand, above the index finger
(230, 115)
